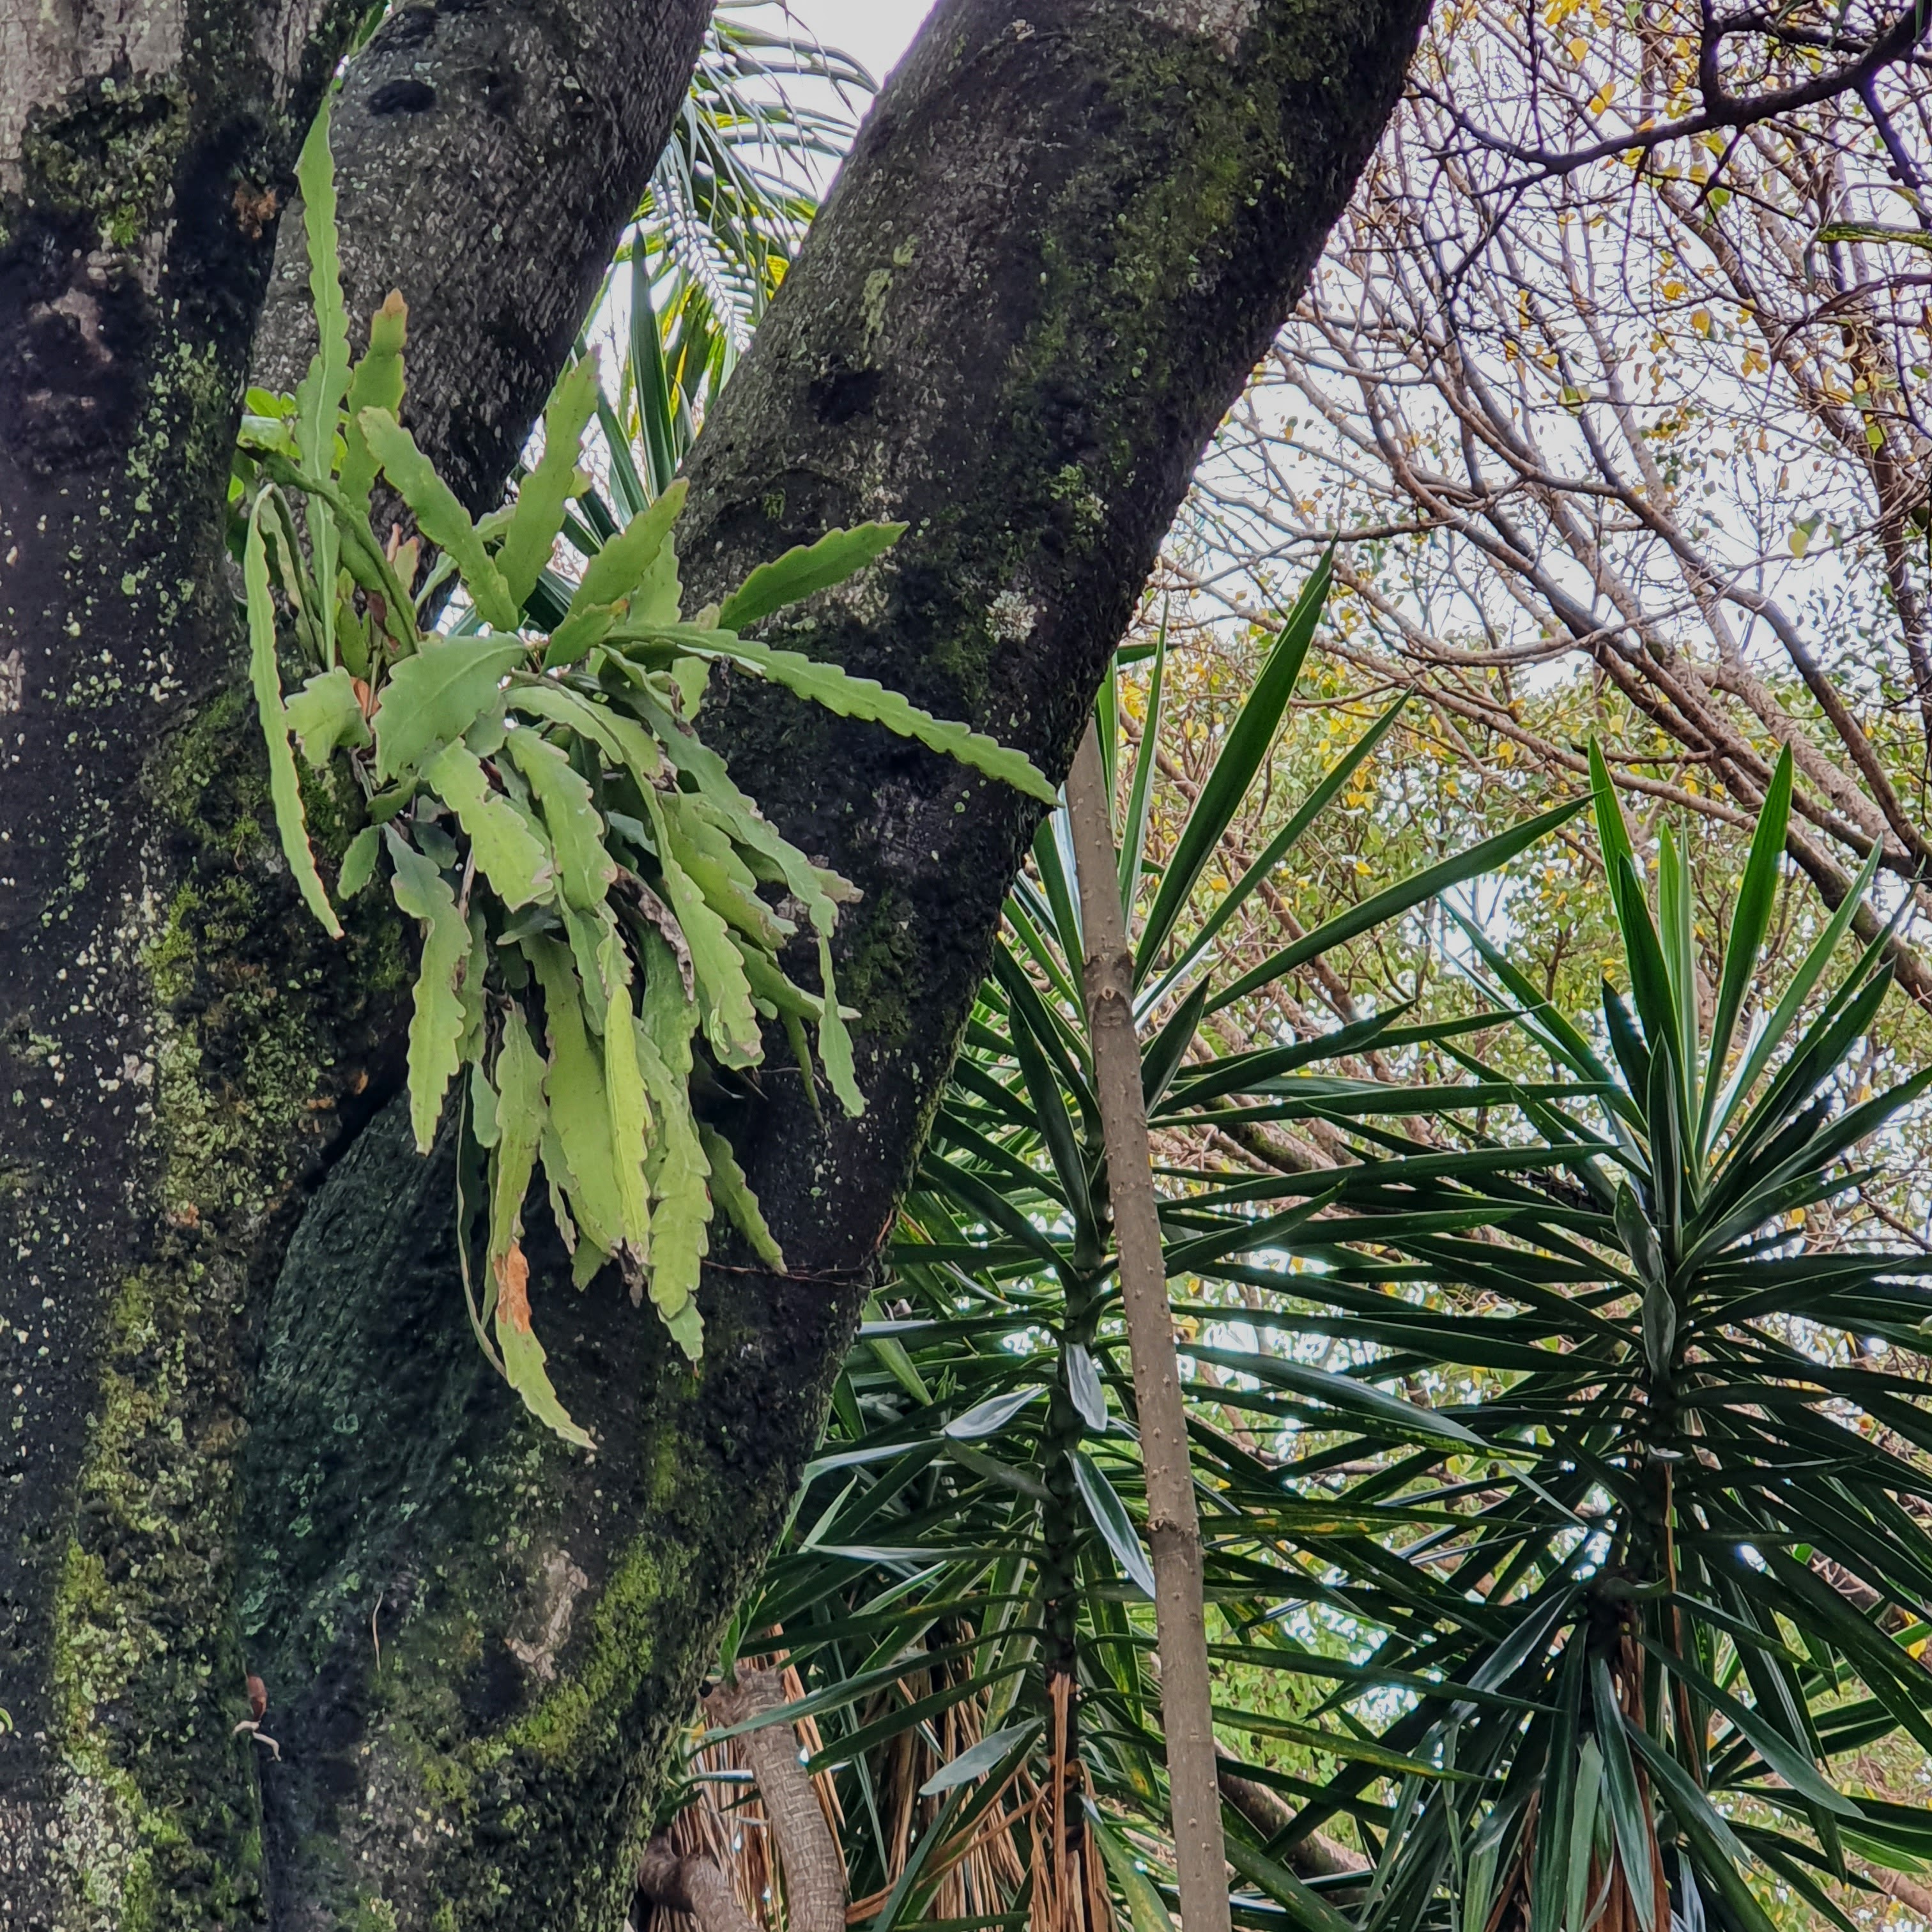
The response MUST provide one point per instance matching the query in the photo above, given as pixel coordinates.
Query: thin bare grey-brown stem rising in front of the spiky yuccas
(1174, 1527)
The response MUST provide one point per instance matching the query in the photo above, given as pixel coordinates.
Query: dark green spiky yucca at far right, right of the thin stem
(1661, 1548)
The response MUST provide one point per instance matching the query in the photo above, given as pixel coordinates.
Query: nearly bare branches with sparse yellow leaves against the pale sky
(1612, 389)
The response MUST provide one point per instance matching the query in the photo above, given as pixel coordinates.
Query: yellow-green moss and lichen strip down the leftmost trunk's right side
(250, 1019)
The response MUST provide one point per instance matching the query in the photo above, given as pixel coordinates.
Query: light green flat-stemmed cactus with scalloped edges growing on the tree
(582, 870)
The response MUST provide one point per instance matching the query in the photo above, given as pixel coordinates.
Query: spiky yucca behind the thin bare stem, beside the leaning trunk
(967, 1587)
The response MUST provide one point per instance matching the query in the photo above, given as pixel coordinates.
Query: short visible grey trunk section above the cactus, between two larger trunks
(488, 159)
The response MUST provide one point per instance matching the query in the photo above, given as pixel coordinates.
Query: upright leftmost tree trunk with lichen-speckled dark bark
(175, 1046)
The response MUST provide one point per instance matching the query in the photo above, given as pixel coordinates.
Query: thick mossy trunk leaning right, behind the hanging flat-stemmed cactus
(1048, 268)
